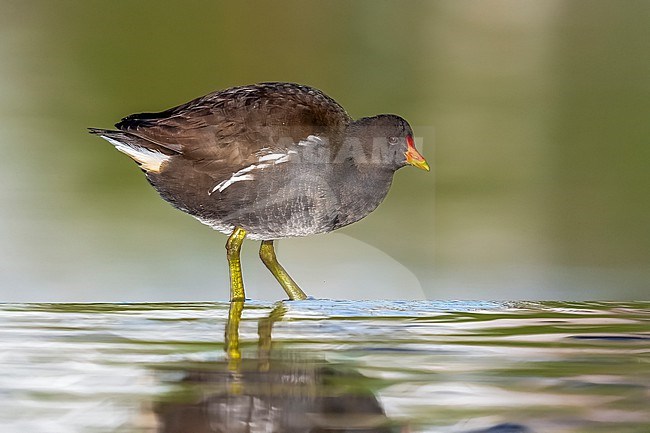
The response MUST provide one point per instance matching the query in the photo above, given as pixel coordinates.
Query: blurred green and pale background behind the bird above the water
(534, 115)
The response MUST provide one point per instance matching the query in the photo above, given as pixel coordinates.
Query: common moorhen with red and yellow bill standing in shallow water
(267, 161)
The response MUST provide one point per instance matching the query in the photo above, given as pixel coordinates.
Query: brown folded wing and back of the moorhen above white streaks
(235, 124)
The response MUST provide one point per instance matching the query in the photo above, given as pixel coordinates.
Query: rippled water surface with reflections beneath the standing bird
(325, 366)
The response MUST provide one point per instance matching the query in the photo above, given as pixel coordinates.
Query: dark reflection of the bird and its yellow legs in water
(272, 391)
